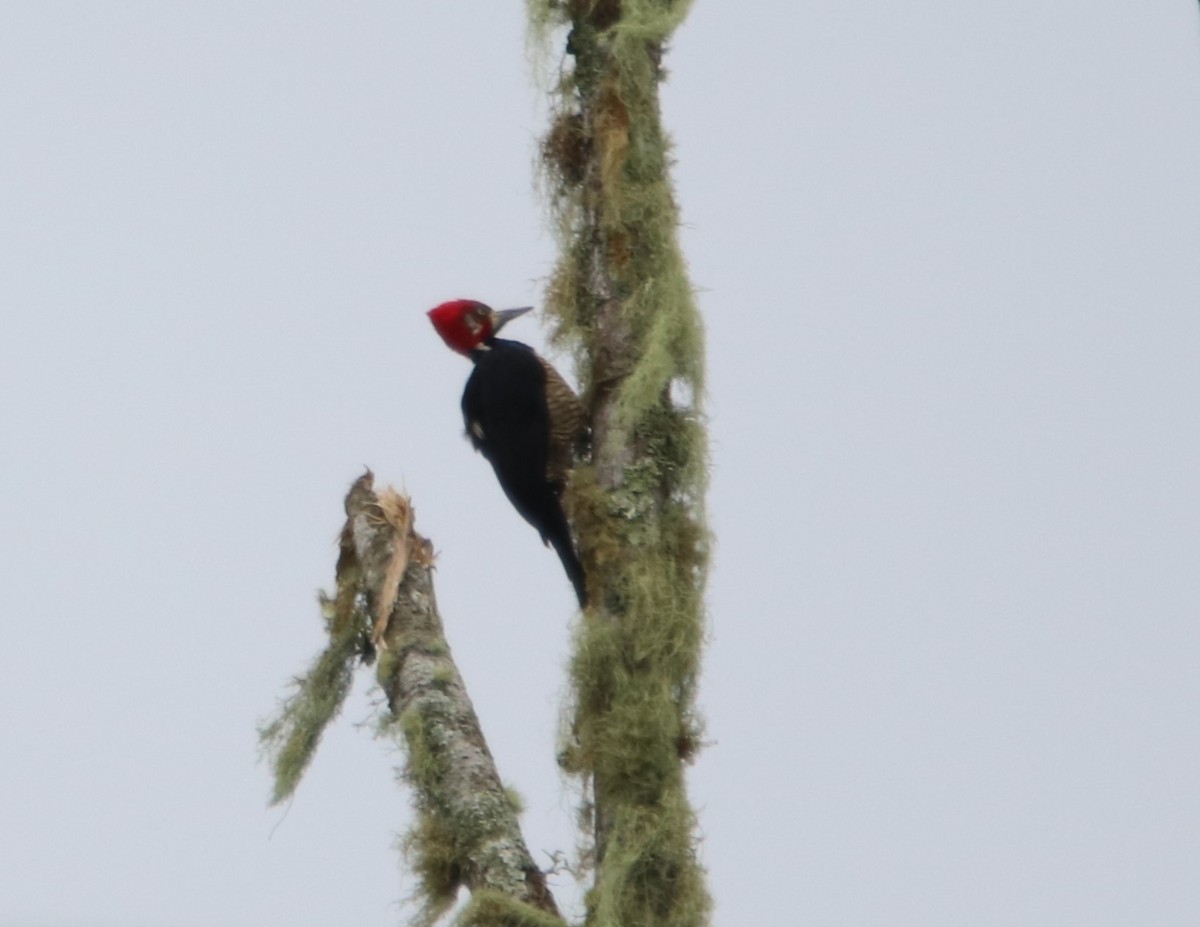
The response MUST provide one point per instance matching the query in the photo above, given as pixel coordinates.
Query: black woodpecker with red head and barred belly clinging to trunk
(520, 415)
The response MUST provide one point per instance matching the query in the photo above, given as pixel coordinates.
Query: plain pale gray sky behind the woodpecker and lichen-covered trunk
(949, 259)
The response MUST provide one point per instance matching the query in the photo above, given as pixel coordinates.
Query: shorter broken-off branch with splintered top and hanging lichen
(466, 834)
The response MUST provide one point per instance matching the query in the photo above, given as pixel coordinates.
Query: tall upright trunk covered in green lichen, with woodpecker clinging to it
(621, 296)
